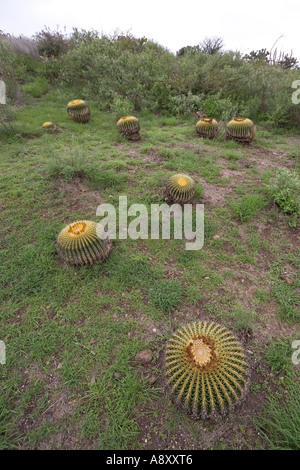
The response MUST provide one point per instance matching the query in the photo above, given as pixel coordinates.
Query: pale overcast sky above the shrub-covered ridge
(244, 26)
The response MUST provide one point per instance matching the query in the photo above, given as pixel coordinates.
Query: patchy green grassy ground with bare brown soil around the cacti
(71, 380)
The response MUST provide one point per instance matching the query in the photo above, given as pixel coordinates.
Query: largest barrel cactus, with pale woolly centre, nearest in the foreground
(206, 369)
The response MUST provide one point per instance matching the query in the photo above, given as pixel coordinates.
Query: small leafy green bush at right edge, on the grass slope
(284, 188)
